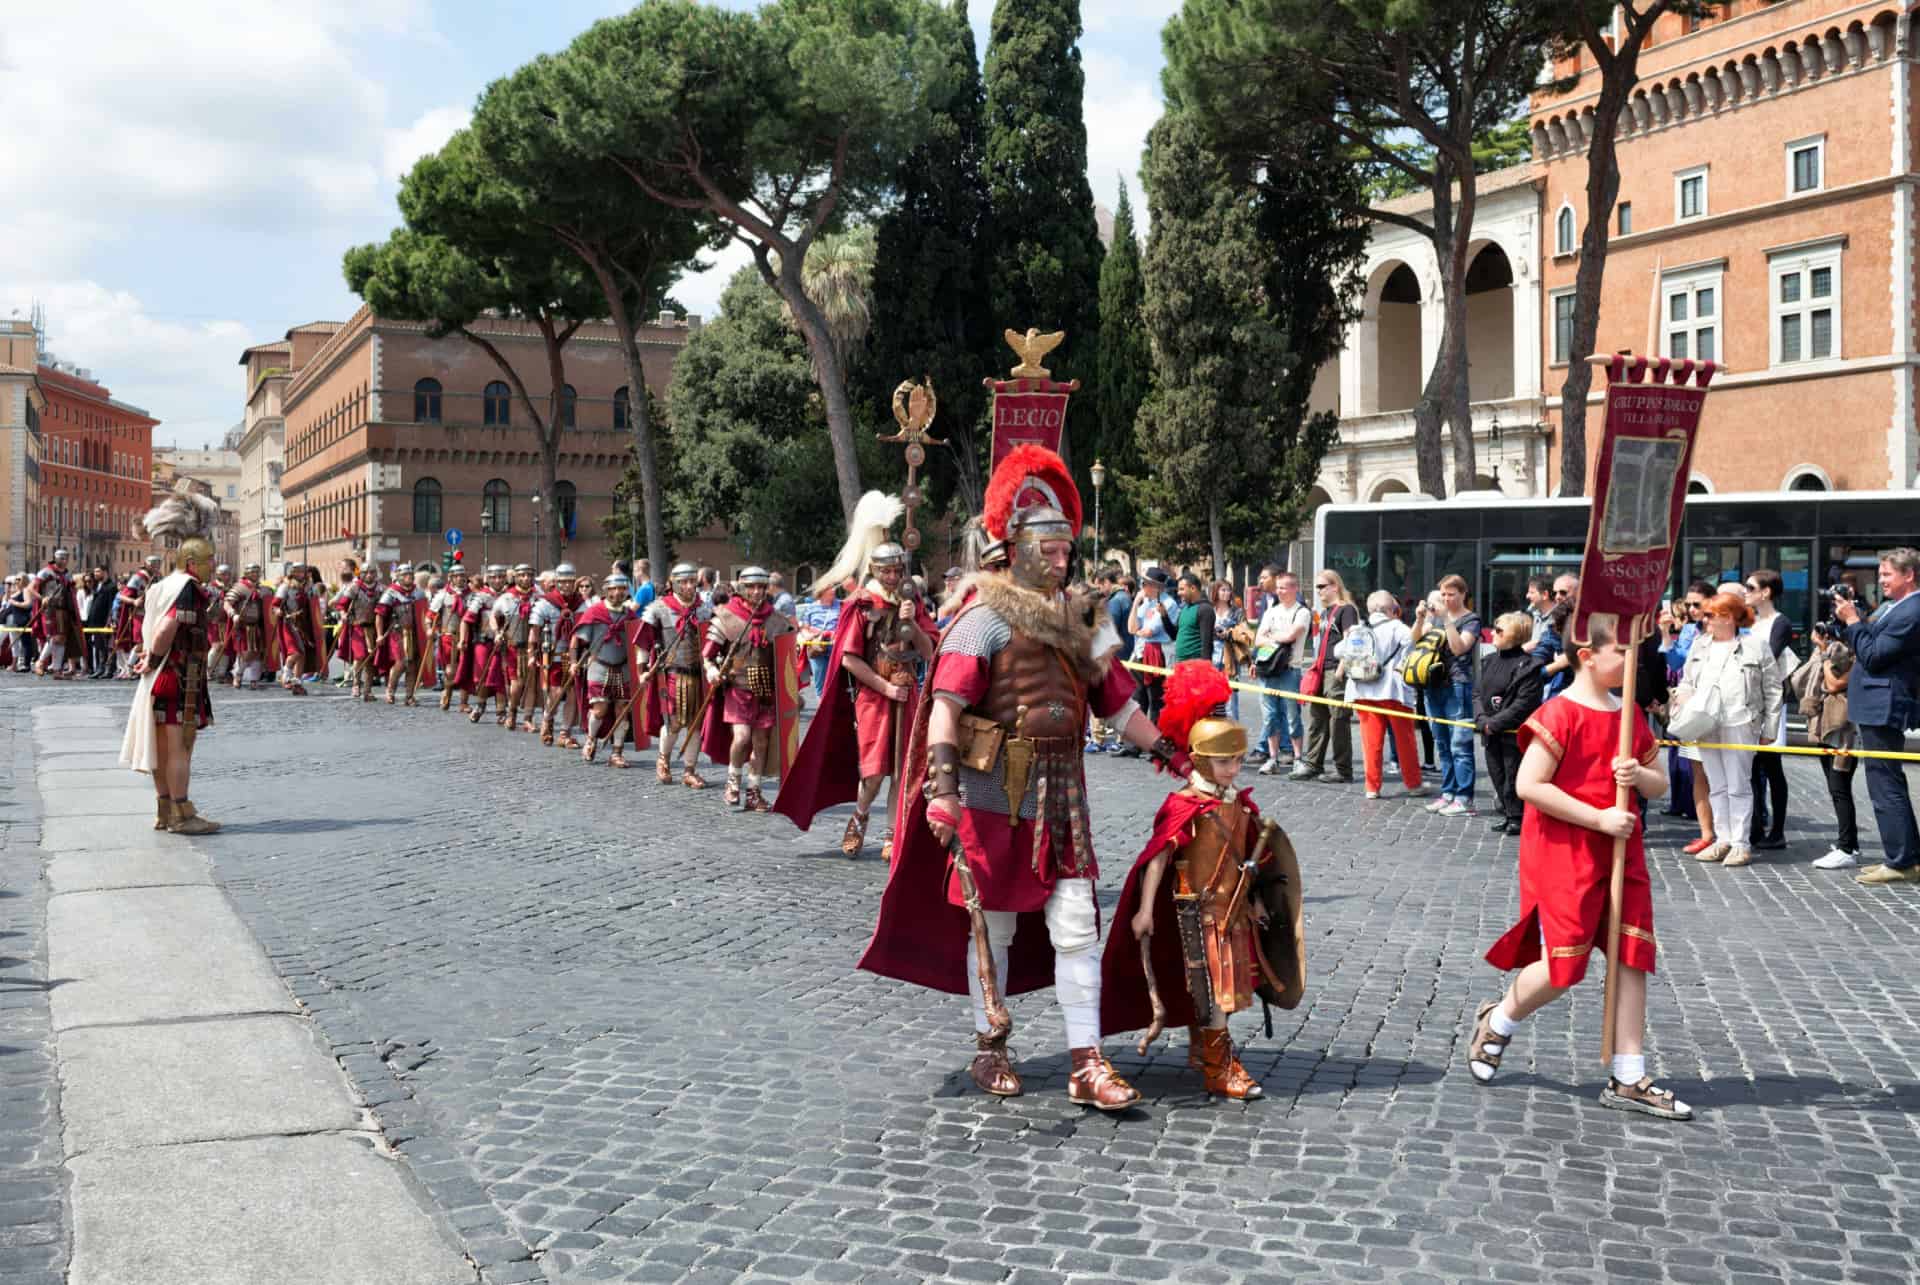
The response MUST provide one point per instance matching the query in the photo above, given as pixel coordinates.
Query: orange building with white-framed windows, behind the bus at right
(1765, 222)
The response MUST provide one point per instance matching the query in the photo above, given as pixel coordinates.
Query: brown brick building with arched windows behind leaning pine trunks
(395, 437)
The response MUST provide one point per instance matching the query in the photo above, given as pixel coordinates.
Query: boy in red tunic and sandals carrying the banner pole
(1568, 783)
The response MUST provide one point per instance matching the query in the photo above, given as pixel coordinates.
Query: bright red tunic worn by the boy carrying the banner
(1566, 869)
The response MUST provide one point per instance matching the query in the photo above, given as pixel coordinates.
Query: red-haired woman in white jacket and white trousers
(1740, 669)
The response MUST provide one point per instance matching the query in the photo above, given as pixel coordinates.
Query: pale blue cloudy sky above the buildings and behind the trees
(183, 178)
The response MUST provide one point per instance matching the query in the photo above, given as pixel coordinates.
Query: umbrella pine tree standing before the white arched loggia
(1270, 80)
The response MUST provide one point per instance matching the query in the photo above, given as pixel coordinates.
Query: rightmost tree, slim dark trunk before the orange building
(1618, 62)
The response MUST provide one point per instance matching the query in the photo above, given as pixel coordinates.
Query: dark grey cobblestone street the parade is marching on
(617, 1034)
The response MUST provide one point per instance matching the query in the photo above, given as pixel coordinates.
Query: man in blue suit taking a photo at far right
(1884, 700)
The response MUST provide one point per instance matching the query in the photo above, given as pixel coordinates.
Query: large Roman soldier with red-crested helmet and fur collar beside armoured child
(994, 881)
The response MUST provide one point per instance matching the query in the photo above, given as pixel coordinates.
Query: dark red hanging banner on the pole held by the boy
(1641, 479)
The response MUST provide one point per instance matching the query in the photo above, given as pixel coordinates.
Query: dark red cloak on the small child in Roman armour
(1124, 1004)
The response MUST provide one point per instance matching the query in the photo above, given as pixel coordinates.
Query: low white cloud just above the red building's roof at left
(156, 362)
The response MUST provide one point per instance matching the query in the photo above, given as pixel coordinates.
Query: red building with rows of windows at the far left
(95, 470)
